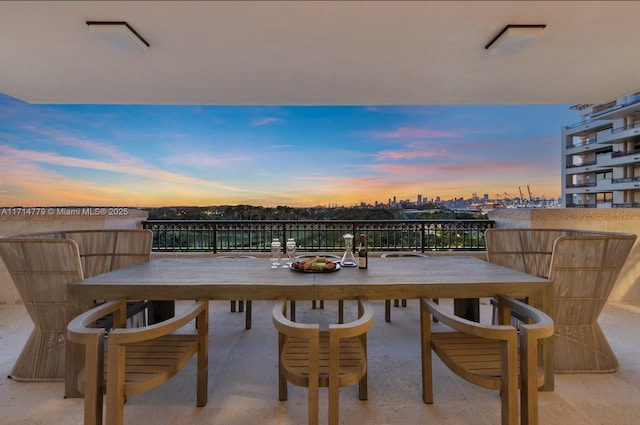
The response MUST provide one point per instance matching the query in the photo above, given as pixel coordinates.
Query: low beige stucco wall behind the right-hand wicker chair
(625, 220)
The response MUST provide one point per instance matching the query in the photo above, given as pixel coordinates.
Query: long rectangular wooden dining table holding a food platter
(461, 277)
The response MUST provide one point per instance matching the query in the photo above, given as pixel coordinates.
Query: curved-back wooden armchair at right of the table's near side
(498, 357)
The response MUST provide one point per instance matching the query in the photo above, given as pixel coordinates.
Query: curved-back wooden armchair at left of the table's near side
(137, 359)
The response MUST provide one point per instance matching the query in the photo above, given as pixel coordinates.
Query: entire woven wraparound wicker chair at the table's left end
(41, 264)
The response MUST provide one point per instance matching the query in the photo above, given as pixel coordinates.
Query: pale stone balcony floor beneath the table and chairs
(243, 381)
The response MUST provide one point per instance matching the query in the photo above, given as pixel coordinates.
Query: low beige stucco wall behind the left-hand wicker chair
(15, 221)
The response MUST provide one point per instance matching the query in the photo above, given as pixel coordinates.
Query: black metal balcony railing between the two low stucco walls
(317, 236)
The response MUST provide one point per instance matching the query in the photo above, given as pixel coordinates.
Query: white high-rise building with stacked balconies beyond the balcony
(601, 156)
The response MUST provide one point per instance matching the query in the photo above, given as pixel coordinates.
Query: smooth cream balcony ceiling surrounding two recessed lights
(319, 52)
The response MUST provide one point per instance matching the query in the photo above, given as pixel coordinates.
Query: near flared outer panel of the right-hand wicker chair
(584, 270)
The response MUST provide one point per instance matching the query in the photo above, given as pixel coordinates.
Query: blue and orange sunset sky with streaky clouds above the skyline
(146, 156)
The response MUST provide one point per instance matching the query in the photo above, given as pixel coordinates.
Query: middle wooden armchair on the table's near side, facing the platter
(309, 357)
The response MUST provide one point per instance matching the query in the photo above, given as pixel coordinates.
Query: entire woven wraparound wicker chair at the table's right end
(583, 266)
